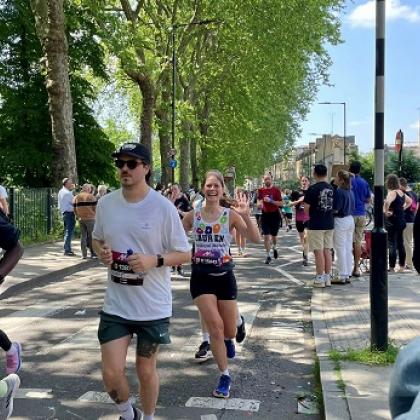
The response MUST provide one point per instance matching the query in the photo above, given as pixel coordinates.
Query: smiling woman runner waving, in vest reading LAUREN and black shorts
(213, 284)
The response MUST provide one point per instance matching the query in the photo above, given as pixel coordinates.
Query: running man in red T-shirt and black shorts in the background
(269, 200)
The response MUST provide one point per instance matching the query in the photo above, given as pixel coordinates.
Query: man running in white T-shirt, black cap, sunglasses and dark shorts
(139, 236)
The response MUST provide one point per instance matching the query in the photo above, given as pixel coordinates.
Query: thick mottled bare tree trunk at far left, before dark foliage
(50, 26)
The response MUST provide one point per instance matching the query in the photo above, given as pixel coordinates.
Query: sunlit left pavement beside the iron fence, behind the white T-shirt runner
(44, 262)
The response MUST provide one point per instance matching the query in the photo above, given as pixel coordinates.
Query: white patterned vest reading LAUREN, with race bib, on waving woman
(211, 240)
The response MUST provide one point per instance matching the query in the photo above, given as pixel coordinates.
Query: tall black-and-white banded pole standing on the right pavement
(378, 259)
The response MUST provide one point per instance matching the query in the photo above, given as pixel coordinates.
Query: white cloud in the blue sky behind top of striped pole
(364, 15)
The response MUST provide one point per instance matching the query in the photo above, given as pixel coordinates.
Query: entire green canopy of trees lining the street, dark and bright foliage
(246, 73)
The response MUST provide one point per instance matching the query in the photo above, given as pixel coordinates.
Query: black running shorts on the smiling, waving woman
(222, 285)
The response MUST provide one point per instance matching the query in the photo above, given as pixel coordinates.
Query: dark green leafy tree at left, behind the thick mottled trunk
(25, 129)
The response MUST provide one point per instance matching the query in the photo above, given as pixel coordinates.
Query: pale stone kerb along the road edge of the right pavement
(335, 402)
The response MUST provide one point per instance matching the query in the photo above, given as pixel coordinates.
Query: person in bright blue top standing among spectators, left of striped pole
(362, 196)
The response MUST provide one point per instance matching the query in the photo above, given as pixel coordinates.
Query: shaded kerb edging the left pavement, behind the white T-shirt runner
(44, 279)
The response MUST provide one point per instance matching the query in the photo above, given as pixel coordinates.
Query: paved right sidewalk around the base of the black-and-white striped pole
(341, 320)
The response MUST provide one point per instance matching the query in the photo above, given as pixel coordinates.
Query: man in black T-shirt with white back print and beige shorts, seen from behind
(318, 204)
